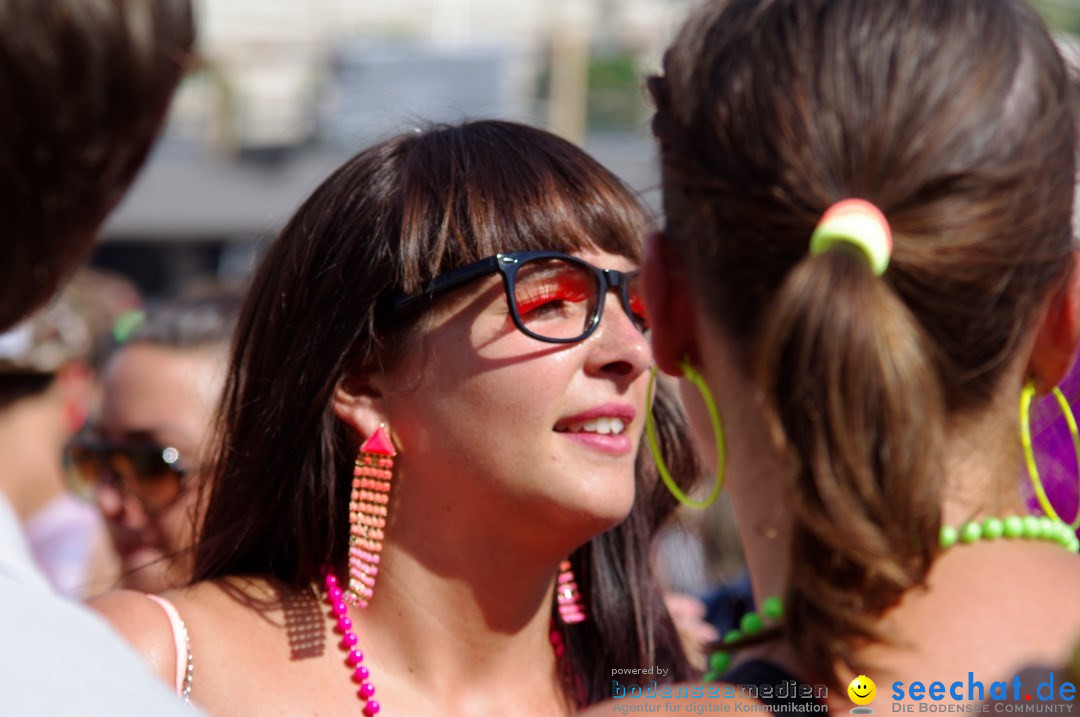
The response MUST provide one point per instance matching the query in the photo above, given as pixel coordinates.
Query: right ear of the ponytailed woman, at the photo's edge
(1059, 334)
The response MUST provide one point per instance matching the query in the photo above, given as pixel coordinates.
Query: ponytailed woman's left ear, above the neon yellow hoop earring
(670, 305)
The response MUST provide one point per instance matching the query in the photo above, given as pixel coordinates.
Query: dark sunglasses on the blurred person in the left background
(153, 474)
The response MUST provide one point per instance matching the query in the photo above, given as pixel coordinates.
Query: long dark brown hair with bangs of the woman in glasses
(391, 219)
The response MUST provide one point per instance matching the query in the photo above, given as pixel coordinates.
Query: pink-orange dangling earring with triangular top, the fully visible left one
(368, 515)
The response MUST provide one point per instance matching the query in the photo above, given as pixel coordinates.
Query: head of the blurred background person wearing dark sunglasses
(141, 462)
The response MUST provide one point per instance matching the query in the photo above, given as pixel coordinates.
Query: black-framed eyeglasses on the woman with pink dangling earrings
(553, 297)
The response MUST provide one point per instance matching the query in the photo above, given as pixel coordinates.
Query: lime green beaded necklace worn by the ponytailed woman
(1015, 527)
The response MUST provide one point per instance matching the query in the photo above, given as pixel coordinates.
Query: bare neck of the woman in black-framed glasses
(460, 623)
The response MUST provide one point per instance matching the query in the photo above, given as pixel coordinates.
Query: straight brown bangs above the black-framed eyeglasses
(489, 187)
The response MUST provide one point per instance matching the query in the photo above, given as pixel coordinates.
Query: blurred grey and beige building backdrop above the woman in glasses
(288, 90)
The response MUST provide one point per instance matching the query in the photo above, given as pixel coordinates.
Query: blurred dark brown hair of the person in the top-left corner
(85, 86)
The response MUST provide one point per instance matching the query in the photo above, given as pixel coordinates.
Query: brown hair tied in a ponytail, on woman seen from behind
(955, 119)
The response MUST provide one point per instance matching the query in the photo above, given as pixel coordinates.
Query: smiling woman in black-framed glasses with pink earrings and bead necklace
(428, 492)
